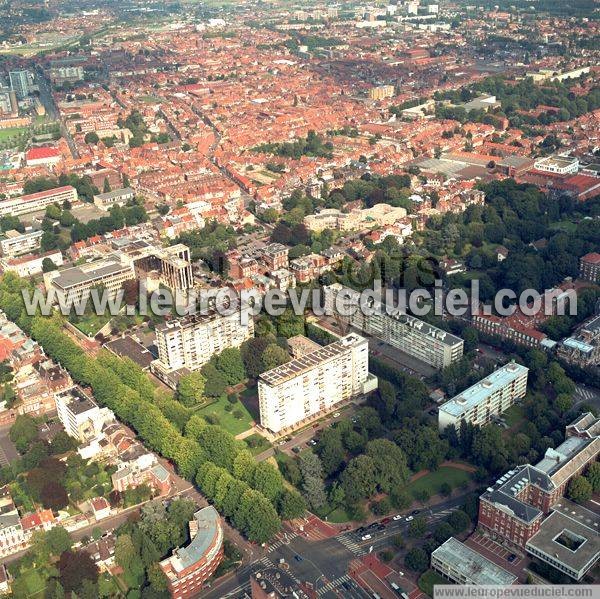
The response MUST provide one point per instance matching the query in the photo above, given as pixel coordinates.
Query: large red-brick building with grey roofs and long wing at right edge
(513, 509)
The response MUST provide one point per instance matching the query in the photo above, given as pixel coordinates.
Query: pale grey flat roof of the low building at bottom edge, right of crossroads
(472, 565)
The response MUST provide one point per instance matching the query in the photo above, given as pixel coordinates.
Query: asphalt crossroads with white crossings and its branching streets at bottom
(324, 564)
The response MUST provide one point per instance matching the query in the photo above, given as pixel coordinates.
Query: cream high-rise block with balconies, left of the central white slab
(189, 342)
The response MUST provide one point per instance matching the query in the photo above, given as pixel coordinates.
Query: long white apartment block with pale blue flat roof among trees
(488, 398)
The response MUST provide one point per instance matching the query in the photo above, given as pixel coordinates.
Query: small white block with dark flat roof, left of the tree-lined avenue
(80, 415)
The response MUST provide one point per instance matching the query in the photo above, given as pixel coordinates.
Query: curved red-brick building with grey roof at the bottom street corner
(190, 567)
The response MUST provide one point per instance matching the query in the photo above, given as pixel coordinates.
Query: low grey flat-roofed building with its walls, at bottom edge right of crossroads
(462, 565)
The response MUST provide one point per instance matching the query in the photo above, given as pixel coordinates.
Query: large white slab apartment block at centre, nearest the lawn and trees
(314, 384)
